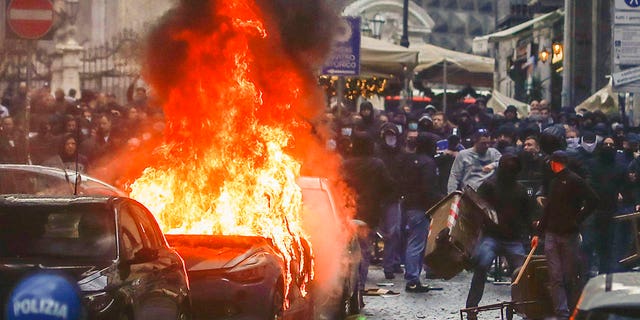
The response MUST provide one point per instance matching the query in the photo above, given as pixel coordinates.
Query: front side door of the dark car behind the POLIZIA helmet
(139, 262)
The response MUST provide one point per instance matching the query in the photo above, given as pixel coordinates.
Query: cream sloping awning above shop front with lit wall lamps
(481, 44)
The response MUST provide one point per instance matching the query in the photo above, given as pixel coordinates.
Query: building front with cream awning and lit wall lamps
(578, 53)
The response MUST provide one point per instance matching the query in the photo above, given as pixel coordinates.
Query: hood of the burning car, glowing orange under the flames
(211, 252)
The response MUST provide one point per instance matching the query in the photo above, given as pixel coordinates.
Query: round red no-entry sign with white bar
(30, 19)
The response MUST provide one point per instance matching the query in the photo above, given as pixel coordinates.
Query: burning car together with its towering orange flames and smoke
(239, 106)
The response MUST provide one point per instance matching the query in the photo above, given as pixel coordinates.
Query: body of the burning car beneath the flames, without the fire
(240, 277)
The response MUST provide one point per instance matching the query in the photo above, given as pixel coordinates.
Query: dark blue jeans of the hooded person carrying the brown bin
(488, 249)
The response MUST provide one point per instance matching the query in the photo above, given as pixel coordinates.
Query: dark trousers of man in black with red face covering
(562, 259)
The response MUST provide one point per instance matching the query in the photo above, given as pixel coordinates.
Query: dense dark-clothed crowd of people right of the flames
(556, 175)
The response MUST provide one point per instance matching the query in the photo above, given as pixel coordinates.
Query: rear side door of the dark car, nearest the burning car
(171, 284)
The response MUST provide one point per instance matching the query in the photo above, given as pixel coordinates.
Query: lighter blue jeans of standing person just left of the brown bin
(417, 231)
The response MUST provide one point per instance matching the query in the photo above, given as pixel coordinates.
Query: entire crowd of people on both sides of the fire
(551, 174)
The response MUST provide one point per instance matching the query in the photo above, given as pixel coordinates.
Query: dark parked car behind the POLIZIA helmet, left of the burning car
(111, 245)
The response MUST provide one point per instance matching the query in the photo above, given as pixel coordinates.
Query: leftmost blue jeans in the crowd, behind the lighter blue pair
(392, 231)
